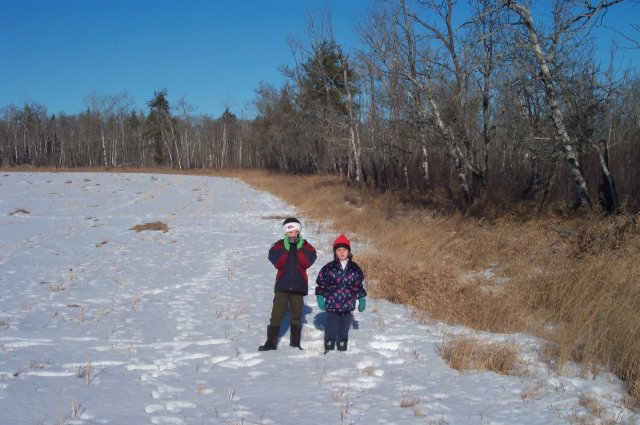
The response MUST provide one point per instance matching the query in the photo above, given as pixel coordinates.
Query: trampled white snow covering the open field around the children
(100, 324)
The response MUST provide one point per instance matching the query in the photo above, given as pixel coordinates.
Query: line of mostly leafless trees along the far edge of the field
(458, 104)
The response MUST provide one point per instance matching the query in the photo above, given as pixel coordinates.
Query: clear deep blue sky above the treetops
(211, 52)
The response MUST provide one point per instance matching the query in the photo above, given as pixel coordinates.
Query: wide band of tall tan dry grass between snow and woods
(573, 281)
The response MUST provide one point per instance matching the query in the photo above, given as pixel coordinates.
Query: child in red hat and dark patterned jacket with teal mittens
(339, 284)
